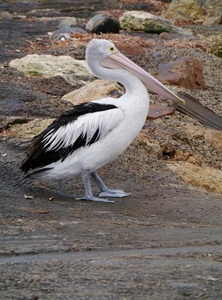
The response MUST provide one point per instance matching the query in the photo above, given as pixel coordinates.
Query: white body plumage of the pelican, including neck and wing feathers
(118, 128)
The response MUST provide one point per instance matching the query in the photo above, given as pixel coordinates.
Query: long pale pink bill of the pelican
(118, 60)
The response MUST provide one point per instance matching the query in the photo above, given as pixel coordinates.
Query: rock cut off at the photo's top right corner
(214, 12)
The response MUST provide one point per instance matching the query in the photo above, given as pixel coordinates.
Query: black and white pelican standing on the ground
(92, 134)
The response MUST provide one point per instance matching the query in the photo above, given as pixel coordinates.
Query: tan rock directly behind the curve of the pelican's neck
(94, 91)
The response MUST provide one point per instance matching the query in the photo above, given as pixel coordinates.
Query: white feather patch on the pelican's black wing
(85, 125)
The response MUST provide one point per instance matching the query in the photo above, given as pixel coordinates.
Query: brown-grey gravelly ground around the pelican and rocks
(162, 242)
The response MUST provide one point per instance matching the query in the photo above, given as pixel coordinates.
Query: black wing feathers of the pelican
(38, 157)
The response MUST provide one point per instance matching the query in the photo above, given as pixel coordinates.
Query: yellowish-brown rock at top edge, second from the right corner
(184, 10)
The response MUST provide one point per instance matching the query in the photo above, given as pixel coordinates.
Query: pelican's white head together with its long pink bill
(103, 53)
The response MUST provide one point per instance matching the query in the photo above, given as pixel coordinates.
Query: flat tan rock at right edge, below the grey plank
(200, 176)
